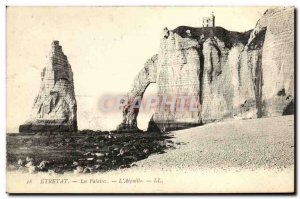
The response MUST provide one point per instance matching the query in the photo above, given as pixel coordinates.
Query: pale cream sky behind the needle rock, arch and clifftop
(106, 47)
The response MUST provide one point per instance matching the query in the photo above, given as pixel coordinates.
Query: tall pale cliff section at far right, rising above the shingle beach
(278, 62)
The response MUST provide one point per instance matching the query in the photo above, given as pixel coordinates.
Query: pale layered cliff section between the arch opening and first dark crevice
(177, 76)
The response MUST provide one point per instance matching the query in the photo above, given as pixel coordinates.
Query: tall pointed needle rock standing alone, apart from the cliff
(54, 108)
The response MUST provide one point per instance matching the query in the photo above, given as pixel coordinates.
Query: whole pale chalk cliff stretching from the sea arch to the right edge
(234, 75)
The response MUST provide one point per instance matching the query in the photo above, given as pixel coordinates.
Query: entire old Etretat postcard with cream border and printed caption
(150, 99)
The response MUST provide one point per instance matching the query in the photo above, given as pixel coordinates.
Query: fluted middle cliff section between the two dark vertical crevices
(230, 80)
